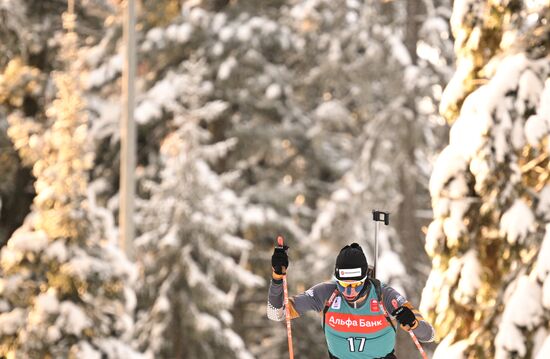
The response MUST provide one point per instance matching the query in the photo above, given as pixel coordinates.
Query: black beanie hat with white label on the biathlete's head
(351, 263)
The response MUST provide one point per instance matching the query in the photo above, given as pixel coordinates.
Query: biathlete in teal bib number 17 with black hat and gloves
(357, 310)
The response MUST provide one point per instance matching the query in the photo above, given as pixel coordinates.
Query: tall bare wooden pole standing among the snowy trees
(128, 132)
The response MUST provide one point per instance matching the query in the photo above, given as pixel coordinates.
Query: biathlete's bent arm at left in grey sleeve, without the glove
(312, 299)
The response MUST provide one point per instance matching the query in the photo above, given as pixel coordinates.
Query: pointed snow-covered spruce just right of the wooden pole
(190, 248)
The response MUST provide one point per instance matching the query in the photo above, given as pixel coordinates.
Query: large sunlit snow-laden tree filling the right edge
(488, 292)
